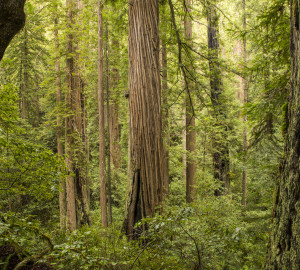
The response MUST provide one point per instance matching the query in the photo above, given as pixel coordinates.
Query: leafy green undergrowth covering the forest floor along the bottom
(213, 233)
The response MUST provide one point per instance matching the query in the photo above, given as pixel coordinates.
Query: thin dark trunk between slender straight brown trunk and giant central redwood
(109, 198)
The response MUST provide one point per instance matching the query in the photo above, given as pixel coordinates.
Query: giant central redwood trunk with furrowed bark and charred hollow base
(147, 167)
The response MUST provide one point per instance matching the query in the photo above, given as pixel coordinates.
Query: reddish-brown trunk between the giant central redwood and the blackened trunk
(191, 190)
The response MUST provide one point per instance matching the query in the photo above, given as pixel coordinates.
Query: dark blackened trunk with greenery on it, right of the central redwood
(220, 144)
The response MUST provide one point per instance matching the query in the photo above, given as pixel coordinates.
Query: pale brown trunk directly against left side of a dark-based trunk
(69, 122)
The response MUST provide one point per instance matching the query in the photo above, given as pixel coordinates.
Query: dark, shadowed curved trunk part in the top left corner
(12, 19)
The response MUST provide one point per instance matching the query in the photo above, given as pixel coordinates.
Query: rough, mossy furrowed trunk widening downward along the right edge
(283, 250)
